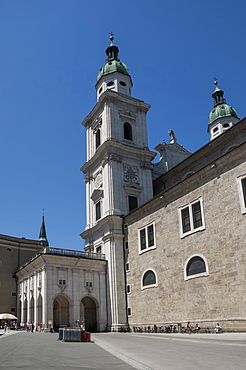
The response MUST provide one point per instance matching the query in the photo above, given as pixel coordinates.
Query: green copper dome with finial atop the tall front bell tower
(113, 63)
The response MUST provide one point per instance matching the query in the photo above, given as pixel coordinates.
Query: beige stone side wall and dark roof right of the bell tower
(217, 294)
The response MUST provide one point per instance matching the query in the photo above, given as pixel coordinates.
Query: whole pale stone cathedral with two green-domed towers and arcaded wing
(164, 241)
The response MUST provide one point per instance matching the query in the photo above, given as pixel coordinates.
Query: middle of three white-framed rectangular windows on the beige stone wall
(191, 218)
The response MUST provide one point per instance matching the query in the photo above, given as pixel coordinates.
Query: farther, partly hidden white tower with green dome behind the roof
(222, 116)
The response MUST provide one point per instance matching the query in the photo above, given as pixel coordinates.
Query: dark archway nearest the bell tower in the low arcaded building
(88, 313)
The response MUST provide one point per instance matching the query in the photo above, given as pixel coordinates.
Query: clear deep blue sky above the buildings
(51, 52)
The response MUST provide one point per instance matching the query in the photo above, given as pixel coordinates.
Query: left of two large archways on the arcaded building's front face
(60, 311)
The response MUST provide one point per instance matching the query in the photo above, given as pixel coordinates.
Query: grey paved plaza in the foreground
(126, 351)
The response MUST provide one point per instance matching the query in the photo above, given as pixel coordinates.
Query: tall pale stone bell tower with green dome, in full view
(118, 173)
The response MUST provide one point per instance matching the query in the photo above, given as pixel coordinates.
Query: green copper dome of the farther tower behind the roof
(221, 109)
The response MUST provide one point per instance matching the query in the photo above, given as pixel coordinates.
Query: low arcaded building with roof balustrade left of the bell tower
(61, 286)
